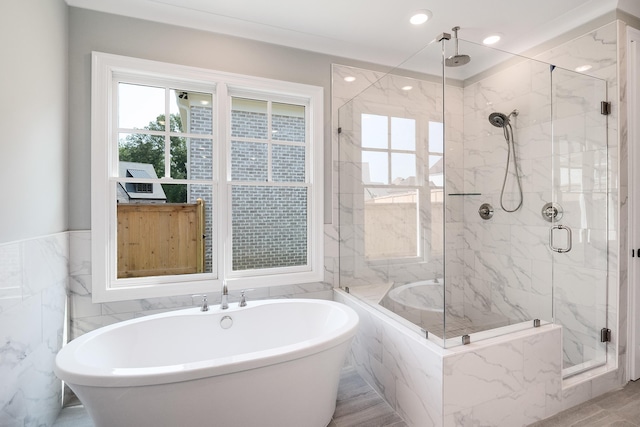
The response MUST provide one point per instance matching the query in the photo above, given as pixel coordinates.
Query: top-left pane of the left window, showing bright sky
(141, 107)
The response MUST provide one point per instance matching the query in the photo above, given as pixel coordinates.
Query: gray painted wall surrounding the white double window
(119, 35)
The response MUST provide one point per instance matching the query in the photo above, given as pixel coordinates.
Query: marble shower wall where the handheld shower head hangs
(508, 267)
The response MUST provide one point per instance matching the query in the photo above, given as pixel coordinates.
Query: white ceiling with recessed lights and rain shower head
(376, 31)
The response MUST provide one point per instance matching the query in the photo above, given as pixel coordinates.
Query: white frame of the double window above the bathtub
(106, 286)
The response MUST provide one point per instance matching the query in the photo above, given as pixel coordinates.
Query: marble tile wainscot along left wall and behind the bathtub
(39, 279)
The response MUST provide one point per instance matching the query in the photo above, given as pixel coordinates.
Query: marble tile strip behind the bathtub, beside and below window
(85, 316)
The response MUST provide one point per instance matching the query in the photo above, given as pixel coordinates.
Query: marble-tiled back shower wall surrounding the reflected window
(374, 93)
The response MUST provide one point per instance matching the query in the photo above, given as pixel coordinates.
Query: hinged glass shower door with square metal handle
(577, 215)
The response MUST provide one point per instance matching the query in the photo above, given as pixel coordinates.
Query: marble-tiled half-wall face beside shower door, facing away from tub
(508, 381)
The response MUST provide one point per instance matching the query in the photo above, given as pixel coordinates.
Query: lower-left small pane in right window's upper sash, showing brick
(249, 161)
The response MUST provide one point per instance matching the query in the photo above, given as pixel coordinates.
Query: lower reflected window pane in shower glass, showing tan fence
(390, 223)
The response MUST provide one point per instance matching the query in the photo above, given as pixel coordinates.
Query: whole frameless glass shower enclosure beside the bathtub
(472, 199)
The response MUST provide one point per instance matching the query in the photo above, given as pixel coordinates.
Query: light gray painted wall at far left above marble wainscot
(33, 155)
